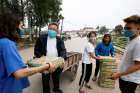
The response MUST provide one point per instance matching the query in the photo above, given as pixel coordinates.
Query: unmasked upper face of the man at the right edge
(133, 27)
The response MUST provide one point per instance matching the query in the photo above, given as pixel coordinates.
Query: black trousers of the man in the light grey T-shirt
(127, 87)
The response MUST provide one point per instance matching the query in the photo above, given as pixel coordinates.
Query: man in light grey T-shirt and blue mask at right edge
(129, 74)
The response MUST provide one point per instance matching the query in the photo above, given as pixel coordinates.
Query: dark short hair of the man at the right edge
(132, 19)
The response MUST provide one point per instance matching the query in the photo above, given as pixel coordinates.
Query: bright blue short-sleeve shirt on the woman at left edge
(10, 62)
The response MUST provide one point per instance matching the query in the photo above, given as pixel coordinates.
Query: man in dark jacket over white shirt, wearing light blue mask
(50, 45)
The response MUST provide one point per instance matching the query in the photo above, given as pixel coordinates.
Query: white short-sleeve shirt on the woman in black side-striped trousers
(89, 48)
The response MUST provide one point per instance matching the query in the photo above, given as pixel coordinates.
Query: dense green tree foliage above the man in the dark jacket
(43, 10)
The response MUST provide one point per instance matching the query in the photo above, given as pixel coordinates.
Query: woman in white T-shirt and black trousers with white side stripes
(87, 62)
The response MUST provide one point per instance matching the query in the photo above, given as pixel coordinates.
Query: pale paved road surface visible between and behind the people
(67, 86)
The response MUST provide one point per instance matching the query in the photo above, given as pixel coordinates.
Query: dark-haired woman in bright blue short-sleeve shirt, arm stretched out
(13, 71)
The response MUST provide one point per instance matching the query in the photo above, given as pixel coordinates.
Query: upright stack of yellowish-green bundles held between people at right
(107, 68)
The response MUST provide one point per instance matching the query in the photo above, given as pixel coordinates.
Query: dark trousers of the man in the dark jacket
(55, 78)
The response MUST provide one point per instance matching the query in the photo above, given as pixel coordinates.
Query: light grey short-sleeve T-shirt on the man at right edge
(131, 54)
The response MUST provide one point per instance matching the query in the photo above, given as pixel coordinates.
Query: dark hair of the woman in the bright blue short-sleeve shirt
(8, 26)
